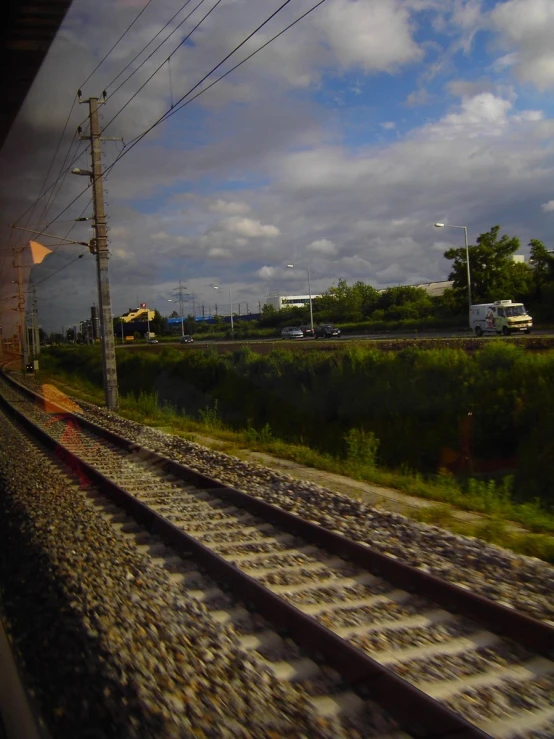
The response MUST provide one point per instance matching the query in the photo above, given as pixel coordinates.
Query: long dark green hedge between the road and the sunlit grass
(490, 411)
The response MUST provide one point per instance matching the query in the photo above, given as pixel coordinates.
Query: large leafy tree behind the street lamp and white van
(494, 275)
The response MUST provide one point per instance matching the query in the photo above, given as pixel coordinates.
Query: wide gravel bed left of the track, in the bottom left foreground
(108, 645)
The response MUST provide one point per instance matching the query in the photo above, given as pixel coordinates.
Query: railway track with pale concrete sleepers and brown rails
(439, 659)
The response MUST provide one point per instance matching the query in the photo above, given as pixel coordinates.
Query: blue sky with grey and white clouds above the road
(337, 147)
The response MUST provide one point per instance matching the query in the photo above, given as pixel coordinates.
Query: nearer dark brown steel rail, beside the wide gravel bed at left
(415, 711)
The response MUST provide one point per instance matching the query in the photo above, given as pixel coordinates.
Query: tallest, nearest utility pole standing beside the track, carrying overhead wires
(99, 247)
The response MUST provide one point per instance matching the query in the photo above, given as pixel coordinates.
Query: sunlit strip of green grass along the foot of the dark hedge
(492, 500)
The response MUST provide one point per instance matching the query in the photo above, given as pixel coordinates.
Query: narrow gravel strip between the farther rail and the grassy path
(522, 582)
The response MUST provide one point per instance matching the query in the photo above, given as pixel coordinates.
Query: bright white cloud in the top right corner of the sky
(526, 29)
